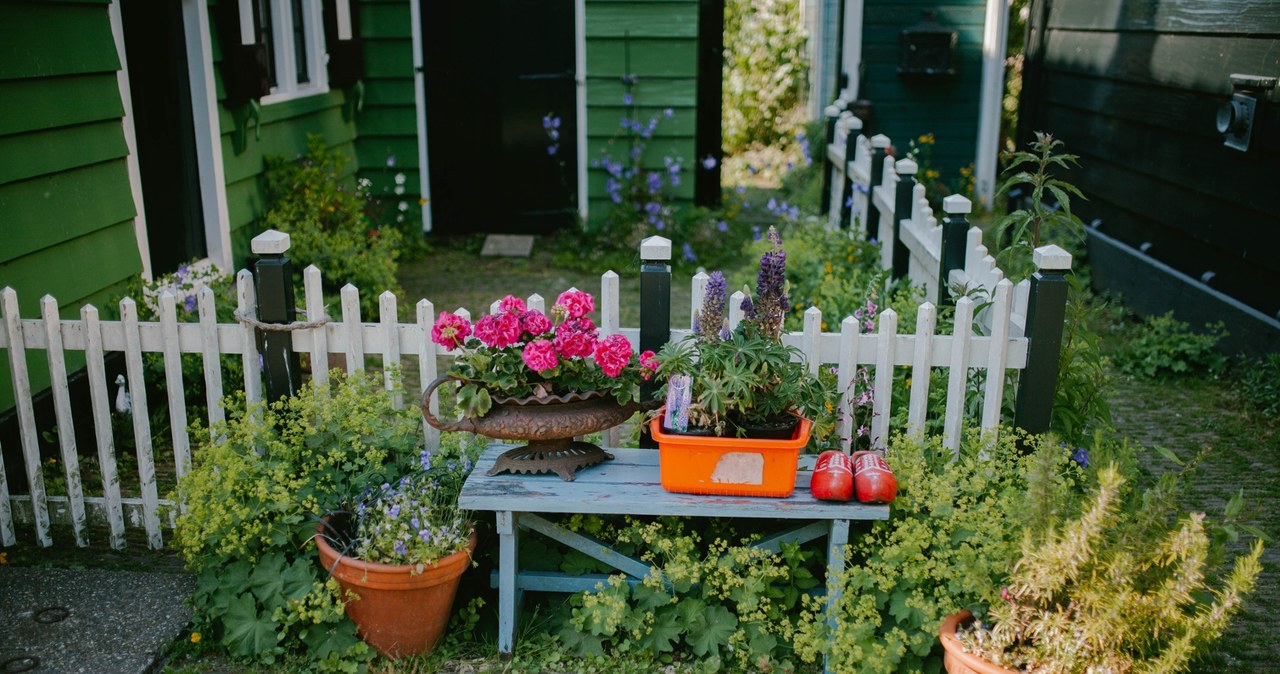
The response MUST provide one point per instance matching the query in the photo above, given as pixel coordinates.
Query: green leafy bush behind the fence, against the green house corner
(326, 218)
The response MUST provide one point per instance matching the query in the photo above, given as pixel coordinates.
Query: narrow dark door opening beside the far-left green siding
(161, 93)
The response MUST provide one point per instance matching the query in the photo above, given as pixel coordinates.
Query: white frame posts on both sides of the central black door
(415, 10)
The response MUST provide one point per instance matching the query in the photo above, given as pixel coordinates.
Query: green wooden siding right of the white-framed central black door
(659, 40)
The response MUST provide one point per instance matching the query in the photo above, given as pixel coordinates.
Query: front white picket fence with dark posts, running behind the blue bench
(359, 341)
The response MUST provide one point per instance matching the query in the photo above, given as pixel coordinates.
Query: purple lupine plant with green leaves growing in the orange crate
(746, 377)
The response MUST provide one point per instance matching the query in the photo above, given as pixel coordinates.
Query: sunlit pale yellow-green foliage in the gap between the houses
(766, 72)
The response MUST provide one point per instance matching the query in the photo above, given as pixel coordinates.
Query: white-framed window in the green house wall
(294, 35)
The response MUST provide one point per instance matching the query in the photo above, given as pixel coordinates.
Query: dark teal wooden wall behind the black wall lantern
(909, 108)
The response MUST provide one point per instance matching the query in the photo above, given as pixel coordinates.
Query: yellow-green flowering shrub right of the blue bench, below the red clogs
(952, 533)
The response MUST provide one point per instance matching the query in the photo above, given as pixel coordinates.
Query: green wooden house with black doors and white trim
(134, 132)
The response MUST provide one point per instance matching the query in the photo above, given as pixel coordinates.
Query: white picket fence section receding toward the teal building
(920, 230)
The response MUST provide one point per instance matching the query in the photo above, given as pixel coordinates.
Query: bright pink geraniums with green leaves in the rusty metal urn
(520, 352)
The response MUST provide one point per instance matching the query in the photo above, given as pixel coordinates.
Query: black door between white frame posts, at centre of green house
(495, 70)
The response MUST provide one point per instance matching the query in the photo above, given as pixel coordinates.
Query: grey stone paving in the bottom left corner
(93, 622)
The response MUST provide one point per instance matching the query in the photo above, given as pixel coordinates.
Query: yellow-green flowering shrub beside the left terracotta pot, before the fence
(253, 501)
